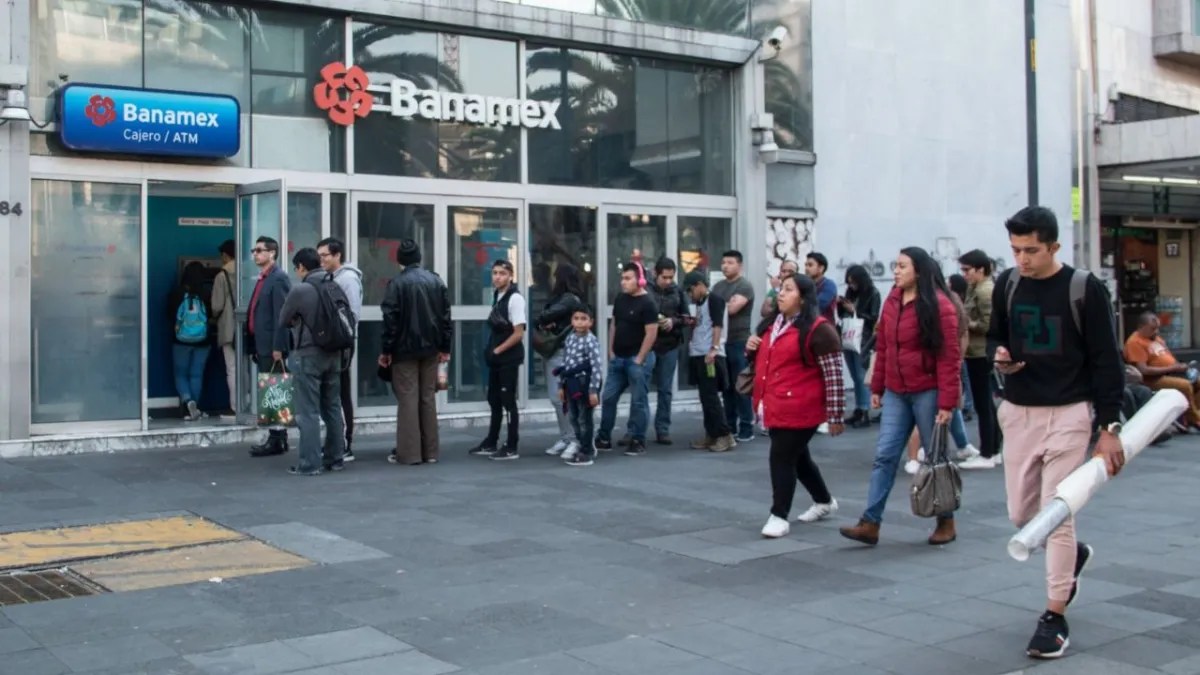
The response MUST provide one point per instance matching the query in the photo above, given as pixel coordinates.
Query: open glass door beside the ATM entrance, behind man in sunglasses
(261, 213)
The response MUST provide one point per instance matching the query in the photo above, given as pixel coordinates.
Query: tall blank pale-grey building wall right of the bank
(921, 129)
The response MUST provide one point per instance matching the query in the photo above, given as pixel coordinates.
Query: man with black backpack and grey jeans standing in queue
(323, 326)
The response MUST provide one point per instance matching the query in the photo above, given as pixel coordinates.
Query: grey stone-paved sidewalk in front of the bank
(638, 566)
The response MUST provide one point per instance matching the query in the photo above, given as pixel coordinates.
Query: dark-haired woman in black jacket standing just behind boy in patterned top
(554, 326)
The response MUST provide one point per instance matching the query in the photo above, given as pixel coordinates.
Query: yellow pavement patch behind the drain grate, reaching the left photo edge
(44, 547)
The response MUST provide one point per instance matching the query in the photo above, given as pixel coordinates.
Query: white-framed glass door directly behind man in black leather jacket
(380, 223)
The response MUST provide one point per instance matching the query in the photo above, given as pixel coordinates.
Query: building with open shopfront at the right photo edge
(1147, 101)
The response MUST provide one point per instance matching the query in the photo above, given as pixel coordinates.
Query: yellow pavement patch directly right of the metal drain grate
(188, 566)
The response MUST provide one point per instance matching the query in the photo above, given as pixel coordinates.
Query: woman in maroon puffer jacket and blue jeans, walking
(916, 380)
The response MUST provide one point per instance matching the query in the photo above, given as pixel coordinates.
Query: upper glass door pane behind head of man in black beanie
(382, 228)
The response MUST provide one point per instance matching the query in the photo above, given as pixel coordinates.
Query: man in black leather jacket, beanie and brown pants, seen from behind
(417, 336)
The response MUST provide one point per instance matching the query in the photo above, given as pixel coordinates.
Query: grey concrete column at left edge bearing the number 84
(15, 231)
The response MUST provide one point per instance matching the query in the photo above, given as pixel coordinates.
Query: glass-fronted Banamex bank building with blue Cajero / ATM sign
(550, 133)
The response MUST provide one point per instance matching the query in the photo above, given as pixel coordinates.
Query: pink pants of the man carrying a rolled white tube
(1042, 447)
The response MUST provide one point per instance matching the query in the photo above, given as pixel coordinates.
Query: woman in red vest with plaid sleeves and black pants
(797, 387)
